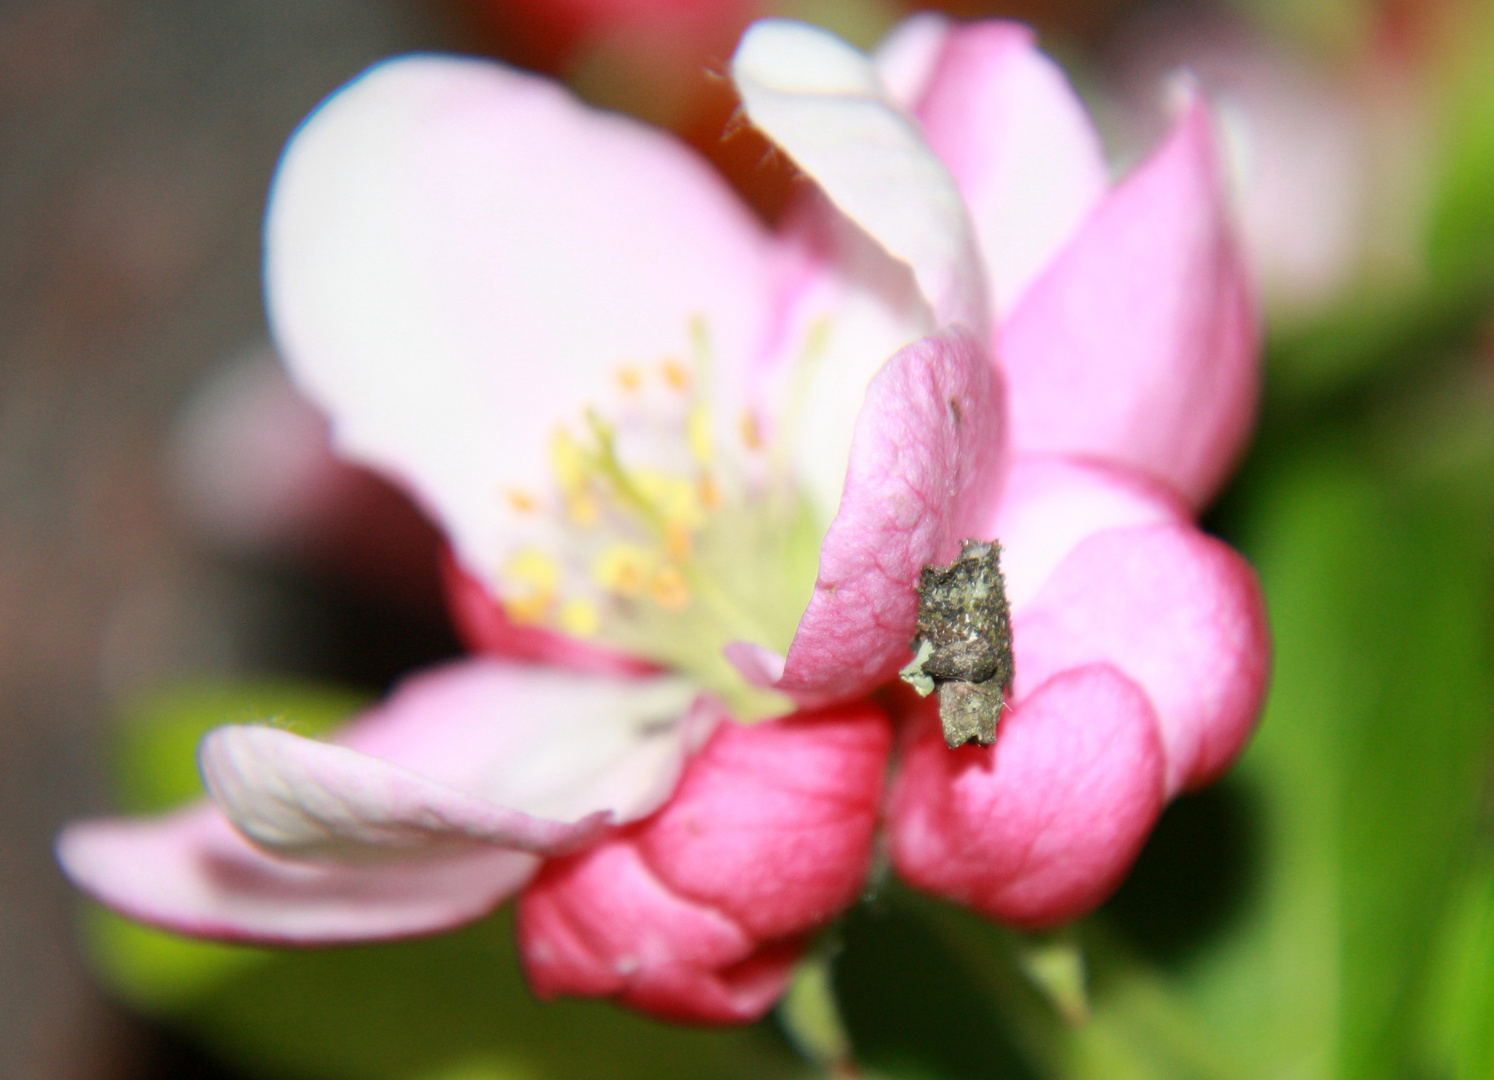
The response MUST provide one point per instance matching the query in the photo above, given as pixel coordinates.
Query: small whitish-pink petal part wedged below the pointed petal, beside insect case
(1051, 504)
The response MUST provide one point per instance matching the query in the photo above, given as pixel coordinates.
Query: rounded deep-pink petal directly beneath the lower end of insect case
(1042, 827)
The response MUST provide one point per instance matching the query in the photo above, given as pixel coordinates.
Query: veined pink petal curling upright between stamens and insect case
(926, 470)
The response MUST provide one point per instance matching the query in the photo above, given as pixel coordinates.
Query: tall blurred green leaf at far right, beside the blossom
(1366, 764)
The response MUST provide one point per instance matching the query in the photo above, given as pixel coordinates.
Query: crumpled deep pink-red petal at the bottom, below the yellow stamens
(700, 912)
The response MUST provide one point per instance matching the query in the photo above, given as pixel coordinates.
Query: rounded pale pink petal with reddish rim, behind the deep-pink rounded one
(1175, 610)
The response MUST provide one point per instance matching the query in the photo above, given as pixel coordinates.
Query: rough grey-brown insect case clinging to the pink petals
(964, 643)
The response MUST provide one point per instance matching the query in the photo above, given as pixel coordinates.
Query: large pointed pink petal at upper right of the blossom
(1138, 344)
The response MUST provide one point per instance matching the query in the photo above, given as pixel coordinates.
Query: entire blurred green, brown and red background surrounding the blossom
(177, 549)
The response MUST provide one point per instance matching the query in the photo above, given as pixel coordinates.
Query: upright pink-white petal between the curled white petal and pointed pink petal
(1005, 120)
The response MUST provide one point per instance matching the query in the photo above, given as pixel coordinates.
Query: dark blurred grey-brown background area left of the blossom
(140, 141)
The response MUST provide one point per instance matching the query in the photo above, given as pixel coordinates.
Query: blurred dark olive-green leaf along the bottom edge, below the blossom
(453, 1006)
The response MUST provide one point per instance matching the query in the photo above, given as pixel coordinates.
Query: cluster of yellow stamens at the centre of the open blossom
(669, 534)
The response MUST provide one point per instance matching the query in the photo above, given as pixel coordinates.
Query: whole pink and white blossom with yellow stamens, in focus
(691, 471)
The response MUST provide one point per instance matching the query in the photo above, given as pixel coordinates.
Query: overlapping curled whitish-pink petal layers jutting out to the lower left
(422, 815)
